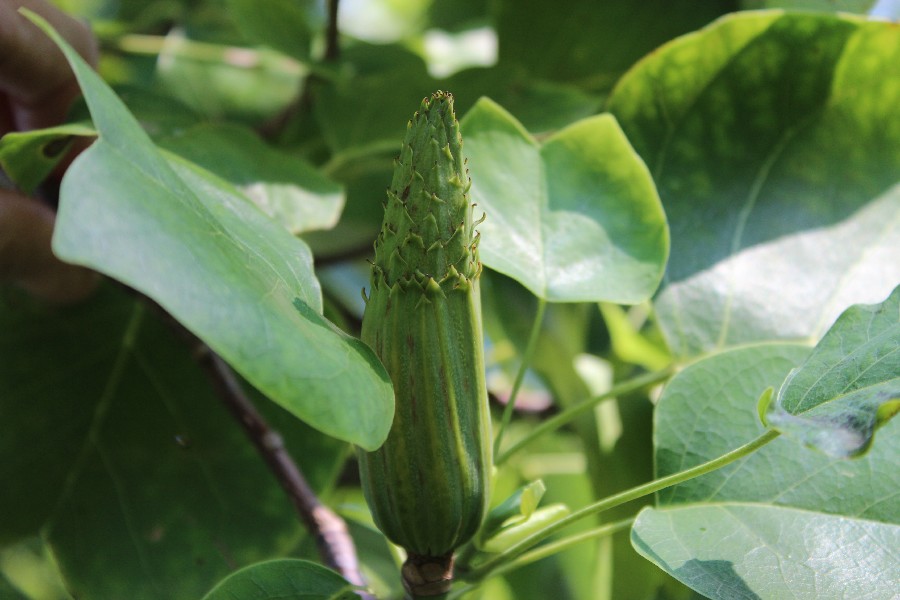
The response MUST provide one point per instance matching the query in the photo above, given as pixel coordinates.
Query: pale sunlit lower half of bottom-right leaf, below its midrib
(787, 553)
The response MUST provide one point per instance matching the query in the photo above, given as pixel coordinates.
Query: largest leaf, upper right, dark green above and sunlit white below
(774, 144)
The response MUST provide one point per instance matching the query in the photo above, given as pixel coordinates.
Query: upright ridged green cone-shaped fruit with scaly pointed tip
(428, 485)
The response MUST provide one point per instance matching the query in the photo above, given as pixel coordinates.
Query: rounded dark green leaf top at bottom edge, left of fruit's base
(285, 579)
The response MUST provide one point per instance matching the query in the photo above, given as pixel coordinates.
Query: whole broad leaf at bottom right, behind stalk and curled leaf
(787, 521)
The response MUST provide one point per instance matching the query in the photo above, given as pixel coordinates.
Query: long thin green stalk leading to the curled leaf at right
(480, 571)
